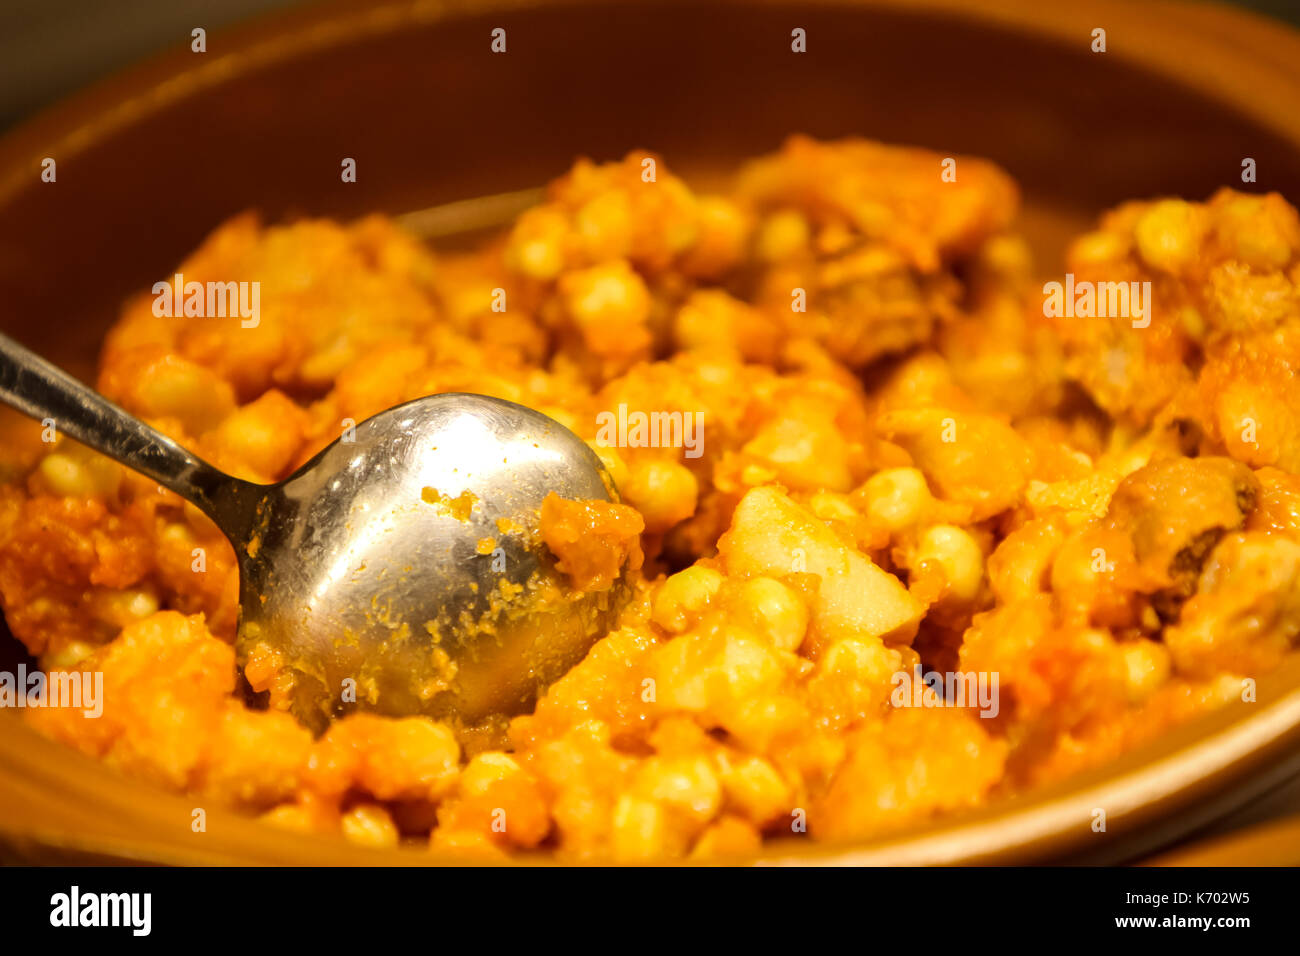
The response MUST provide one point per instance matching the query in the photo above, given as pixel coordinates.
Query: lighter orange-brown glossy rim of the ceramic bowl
(1211, 764)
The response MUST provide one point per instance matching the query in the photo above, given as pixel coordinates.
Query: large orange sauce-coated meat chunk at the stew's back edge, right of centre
(861, 235)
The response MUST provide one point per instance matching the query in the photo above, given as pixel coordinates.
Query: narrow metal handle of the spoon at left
(37, 388)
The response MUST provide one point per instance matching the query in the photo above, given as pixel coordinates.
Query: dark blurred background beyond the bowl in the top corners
(50, 49)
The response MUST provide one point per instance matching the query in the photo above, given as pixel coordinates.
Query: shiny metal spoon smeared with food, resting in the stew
(398, 572)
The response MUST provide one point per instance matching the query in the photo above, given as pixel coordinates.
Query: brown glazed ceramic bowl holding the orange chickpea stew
(151, 162)
